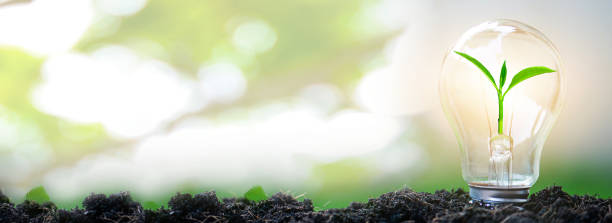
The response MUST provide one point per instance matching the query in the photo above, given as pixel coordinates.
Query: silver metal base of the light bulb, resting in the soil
(494, 195)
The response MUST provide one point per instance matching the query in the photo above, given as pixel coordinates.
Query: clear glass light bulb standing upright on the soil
(501, 128)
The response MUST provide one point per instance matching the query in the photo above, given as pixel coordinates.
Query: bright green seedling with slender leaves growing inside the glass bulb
(518, 78)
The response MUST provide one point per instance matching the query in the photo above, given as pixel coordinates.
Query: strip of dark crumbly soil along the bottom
(549, 205)
